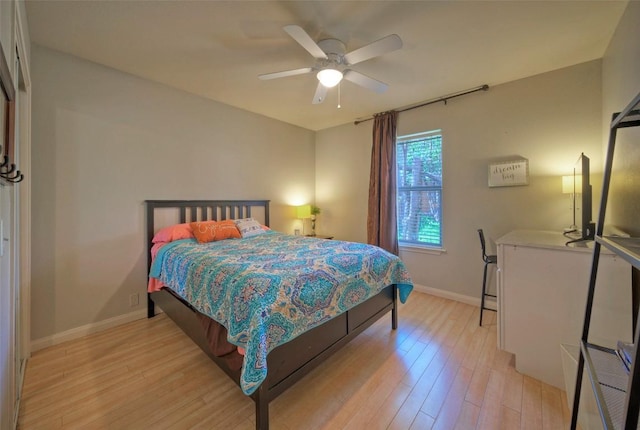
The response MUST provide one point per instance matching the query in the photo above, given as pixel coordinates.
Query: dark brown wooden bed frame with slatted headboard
(287, 363)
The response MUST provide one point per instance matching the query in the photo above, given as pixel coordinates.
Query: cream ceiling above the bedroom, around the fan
(217, 49)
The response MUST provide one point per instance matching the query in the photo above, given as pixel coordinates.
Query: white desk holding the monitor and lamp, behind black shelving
(542, 293)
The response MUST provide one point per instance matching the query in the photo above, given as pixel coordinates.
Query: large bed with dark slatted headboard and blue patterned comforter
(243, 348)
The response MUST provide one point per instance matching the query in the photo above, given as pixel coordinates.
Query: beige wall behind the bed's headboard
(103, 142)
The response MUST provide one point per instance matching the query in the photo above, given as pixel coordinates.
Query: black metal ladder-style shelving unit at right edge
(616, 389)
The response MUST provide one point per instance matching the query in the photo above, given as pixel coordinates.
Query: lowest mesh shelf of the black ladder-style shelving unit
(609, 380)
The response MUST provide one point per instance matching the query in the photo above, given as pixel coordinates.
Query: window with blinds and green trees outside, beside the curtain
(419, 170)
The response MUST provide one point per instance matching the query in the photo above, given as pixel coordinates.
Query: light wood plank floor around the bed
(439, 370)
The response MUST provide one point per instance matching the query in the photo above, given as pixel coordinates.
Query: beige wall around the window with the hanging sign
(548, 119)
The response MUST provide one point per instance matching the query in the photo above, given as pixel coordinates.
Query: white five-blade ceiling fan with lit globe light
(333, 62)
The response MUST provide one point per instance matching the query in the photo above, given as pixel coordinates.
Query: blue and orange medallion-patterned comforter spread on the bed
(270, 288)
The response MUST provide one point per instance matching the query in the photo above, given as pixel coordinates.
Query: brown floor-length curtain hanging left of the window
(382, 229)
